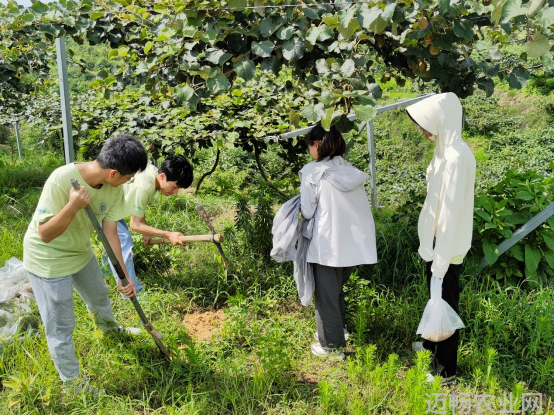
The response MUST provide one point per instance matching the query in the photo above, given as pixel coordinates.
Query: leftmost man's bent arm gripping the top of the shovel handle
(56, 226)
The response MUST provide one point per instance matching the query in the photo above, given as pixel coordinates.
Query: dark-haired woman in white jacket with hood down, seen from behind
(333, 197)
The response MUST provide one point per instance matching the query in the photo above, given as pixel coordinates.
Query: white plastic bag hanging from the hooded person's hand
(439, 321)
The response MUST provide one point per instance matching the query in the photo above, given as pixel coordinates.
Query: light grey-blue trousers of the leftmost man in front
(55, 303)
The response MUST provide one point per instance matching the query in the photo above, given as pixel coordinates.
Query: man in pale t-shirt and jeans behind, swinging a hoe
(175, 173)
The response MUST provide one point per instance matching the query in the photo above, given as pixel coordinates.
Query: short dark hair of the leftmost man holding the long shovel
(123, 153)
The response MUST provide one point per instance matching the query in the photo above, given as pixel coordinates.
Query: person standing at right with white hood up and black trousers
(446, 221)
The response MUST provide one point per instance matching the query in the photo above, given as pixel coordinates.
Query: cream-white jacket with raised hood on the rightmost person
(447, 214)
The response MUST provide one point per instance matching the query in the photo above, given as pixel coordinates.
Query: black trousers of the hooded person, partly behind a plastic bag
(445, 353)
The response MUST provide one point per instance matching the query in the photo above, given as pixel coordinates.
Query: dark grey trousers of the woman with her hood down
(330, 314)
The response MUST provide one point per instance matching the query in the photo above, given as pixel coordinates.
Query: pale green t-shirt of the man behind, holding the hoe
(141, 192)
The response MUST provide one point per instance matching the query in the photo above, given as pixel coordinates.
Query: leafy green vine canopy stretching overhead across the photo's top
(188, 51)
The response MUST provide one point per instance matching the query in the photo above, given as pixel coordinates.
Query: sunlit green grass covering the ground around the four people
(259, 362)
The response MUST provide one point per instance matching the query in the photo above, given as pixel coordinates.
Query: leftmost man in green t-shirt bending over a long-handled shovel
(57, 250)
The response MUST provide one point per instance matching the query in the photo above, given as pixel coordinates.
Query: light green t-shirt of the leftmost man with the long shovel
(71, 251)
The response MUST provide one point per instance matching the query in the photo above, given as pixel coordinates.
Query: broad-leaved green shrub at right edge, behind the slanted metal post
(498, 213)
